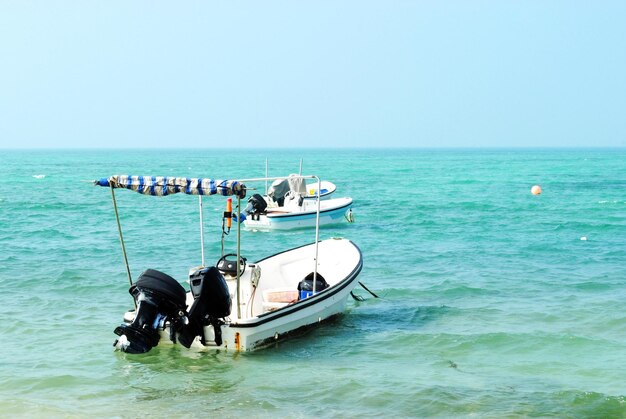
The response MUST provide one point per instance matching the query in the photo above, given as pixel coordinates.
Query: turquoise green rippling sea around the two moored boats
(492, 302)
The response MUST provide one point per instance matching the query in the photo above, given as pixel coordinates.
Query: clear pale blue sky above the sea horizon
(405, 73)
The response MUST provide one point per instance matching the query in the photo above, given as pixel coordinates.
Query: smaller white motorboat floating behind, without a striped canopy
(289, 204)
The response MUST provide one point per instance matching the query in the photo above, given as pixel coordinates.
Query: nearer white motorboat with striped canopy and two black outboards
(234, 305)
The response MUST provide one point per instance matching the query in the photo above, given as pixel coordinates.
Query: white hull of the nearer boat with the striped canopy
(262, 321)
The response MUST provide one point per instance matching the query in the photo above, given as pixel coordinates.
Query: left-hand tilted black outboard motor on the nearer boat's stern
(159, 298)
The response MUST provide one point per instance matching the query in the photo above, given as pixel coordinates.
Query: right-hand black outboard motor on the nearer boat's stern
(211, 303)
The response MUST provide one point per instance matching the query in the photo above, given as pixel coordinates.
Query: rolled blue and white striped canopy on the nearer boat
(164, 185)
